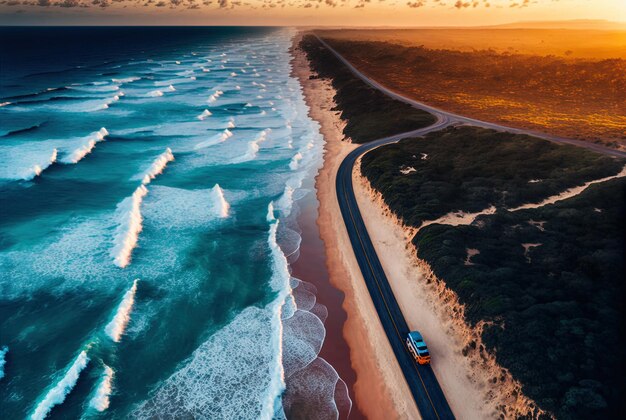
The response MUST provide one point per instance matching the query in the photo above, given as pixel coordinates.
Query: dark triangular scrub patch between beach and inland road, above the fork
(369, 114)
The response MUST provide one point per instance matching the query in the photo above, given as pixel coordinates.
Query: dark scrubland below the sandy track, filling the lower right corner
(557, 308)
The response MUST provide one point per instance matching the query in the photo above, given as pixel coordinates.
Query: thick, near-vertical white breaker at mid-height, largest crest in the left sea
(129, 228)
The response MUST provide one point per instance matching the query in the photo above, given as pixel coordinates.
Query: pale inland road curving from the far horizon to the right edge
(459, 119)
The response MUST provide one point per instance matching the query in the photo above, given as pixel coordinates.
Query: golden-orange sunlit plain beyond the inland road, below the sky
(562, 82)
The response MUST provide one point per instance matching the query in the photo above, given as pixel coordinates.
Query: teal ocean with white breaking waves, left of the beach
(150, 183)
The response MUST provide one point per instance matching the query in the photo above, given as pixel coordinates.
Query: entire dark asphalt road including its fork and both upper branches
(424, 386)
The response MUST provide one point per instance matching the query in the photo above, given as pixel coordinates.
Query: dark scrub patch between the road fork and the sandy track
(470, 169)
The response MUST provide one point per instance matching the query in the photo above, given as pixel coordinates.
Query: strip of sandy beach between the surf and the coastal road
(380, 390)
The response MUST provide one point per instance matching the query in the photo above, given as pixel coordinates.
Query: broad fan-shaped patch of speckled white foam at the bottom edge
(211, 384)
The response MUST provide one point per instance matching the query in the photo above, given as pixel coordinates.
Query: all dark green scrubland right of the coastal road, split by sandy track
(554, 310)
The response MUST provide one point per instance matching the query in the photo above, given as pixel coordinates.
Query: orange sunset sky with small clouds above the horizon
(304, 12)
